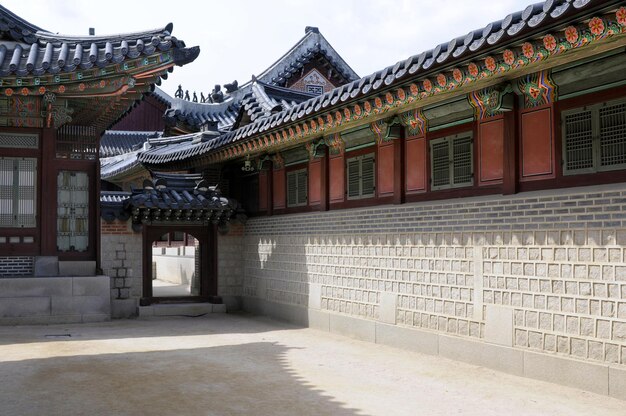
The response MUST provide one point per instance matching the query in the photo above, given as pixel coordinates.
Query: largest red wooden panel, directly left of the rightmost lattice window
(537, 159)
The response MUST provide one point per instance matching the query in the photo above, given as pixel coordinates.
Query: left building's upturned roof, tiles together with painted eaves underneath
(83, 80)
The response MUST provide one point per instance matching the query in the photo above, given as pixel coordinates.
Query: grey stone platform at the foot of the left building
(54, 300)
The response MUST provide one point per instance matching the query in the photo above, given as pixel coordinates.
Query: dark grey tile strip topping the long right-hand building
(515, 27)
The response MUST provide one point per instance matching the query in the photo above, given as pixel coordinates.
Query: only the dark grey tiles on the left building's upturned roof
(37, 51)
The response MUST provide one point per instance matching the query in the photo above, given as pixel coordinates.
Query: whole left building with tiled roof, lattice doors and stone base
(58, 94)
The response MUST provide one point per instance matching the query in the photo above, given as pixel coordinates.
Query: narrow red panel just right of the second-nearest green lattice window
(491, 147)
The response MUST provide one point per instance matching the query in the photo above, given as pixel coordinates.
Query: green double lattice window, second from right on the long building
(451, 161)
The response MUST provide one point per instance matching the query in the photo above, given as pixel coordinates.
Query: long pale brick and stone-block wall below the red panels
(536, 280)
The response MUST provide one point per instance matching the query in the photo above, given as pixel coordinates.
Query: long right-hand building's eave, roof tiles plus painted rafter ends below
(425, 78)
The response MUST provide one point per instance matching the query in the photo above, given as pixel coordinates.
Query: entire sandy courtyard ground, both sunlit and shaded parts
(238, 365)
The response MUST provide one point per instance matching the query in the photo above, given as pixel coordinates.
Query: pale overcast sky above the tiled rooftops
(238, 38)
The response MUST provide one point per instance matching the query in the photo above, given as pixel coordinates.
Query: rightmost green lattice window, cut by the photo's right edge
(594, 138)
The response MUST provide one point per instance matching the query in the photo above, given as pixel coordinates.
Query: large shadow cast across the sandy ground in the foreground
(252, 378)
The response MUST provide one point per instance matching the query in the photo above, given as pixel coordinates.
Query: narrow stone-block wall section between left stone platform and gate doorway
(120, 257)
